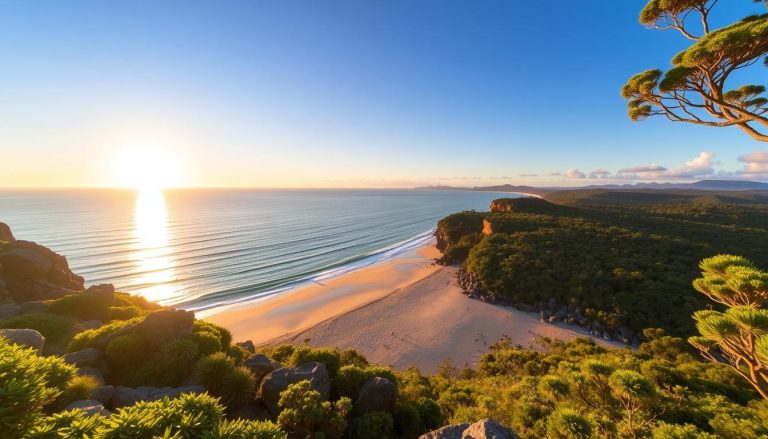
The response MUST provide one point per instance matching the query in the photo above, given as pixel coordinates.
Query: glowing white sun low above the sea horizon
(147, 168)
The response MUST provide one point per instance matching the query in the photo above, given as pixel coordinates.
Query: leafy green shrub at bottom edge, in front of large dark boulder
(305, 415)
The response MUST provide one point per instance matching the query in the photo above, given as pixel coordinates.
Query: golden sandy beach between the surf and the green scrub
(403, 312)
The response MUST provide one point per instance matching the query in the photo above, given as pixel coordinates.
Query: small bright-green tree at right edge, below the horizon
(738, 336)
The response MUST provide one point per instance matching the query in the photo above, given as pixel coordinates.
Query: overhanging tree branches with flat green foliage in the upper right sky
(696, 89)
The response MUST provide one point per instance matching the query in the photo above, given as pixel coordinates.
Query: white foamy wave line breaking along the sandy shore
(344, 266)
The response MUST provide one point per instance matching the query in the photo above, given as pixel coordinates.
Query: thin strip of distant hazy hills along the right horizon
(704, 185)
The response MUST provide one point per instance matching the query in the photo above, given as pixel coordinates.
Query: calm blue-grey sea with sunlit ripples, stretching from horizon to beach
(203, 248)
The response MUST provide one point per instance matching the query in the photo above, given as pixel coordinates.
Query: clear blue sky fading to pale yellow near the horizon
(331, 93)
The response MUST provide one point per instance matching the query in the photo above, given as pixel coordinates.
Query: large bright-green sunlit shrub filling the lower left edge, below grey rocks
(28, 383)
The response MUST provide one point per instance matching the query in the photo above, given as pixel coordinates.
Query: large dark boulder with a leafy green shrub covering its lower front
(279, 380)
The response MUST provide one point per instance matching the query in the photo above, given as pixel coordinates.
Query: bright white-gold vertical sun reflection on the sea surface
(151, 250)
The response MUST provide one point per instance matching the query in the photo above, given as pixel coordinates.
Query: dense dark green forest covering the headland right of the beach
(626, 257)
